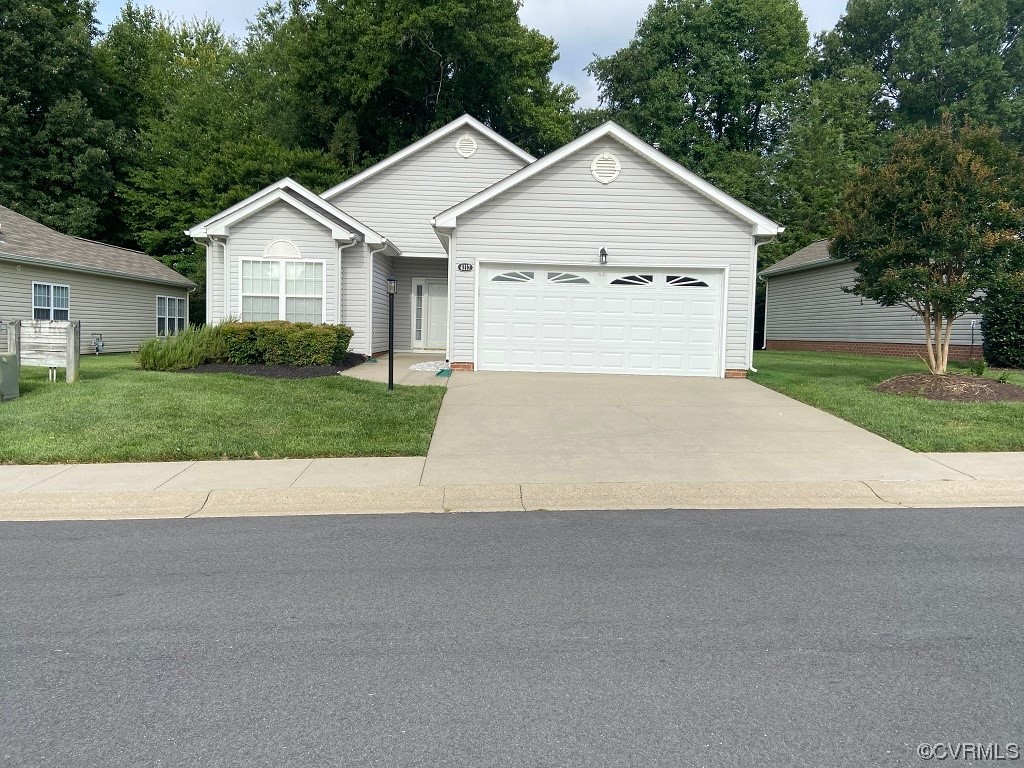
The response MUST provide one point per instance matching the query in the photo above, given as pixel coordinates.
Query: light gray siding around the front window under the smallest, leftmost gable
(249, 239)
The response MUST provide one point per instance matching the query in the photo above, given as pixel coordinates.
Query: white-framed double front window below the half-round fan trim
(283, 290)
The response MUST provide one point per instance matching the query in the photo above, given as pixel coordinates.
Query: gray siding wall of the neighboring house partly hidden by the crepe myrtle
(810, 306)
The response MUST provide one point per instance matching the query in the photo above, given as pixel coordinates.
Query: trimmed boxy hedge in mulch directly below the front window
(282, 344)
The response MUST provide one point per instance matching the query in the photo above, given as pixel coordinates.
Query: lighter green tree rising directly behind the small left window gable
(201, 140)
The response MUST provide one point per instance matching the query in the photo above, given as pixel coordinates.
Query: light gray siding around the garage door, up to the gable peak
(644, 219)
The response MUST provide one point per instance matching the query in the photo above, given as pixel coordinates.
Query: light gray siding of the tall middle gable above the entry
(401, 200)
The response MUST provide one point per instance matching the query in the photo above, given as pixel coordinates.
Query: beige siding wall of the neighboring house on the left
(124, 312)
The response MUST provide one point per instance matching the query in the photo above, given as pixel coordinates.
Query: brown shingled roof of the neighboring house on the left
(27, 241)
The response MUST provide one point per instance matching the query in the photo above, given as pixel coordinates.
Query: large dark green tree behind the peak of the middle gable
(365, 78)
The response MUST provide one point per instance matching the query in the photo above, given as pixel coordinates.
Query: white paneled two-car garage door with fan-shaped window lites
(591, 320)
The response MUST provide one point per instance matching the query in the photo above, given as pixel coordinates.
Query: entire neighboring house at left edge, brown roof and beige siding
(123, 295)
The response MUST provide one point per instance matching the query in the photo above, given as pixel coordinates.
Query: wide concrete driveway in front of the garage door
(547, 429)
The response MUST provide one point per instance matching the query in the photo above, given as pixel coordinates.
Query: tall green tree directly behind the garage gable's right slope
(708, 77)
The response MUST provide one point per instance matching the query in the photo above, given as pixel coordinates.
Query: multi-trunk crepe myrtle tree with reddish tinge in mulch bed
(935, 226)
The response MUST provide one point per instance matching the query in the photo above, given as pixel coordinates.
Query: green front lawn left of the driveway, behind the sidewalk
(118, 413)
